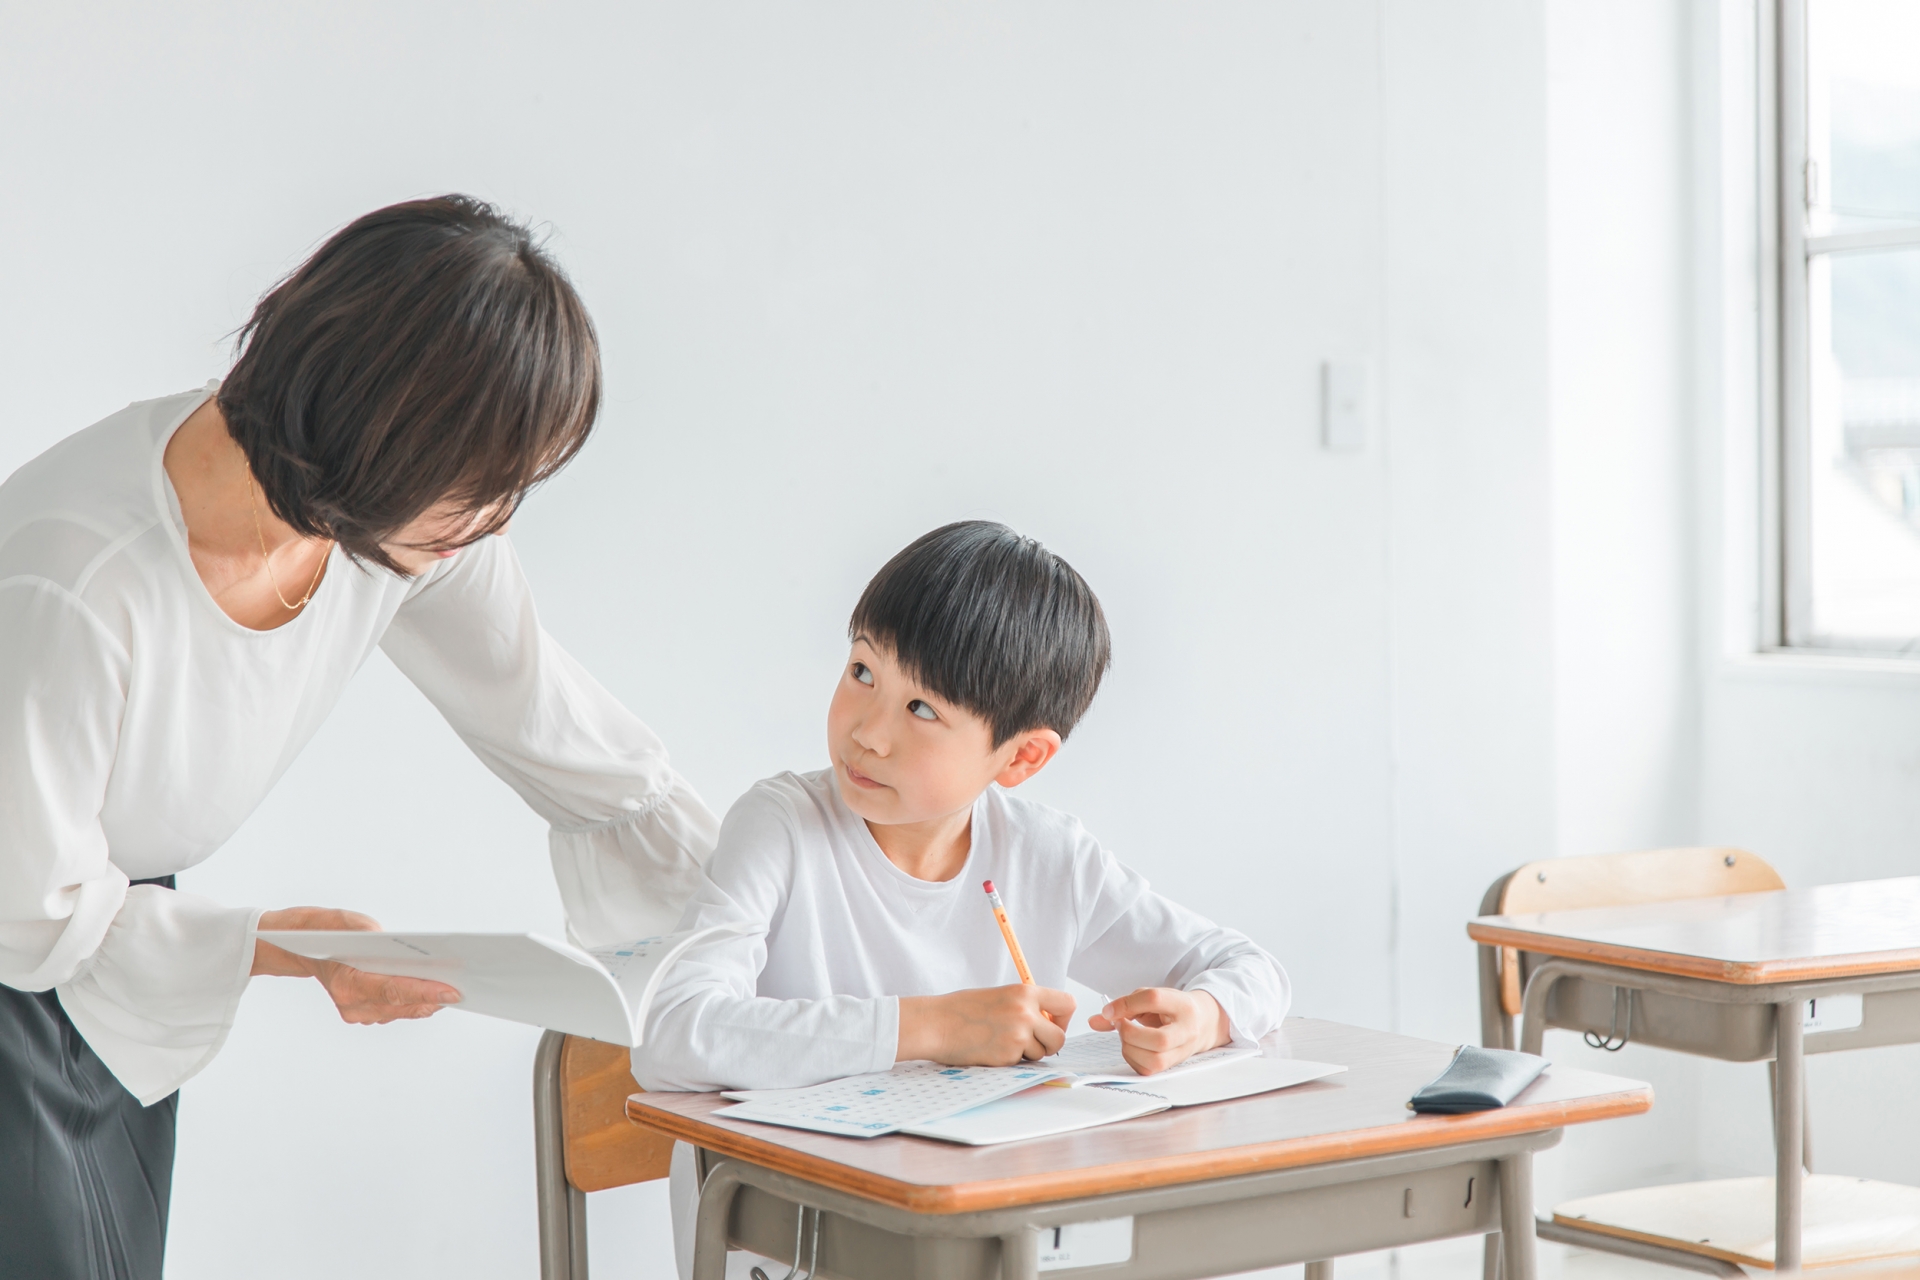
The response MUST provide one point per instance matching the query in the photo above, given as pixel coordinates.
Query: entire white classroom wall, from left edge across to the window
(869, 268)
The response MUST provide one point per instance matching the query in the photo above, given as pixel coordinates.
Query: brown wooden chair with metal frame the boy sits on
(585, 1143)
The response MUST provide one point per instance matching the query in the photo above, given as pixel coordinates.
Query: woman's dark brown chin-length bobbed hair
(429, 352)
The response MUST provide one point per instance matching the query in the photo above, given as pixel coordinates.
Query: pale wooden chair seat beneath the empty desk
(1733, 1220)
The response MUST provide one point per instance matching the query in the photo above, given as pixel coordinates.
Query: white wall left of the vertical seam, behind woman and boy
(859, 270)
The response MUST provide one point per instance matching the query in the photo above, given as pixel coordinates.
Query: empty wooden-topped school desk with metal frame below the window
(1731, 978)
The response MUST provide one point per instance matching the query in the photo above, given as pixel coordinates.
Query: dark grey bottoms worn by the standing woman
(85, 1170)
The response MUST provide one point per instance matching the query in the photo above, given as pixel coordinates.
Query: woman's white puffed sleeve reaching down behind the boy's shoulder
(629, 836)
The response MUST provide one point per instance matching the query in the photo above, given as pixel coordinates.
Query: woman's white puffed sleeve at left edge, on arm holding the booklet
(149, 976)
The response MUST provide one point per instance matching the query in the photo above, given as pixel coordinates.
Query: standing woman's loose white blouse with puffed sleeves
(139, 728)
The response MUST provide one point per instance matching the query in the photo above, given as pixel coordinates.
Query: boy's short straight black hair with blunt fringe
(992, 621)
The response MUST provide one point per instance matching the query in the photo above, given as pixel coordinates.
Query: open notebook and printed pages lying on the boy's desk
(982, 1106)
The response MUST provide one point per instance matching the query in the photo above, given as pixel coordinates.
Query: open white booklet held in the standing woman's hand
(519, 978)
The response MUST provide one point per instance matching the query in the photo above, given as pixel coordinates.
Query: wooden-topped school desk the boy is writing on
(1299, 1175)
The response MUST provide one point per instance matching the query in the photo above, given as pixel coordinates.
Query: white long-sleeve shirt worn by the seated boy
(838, 936)
